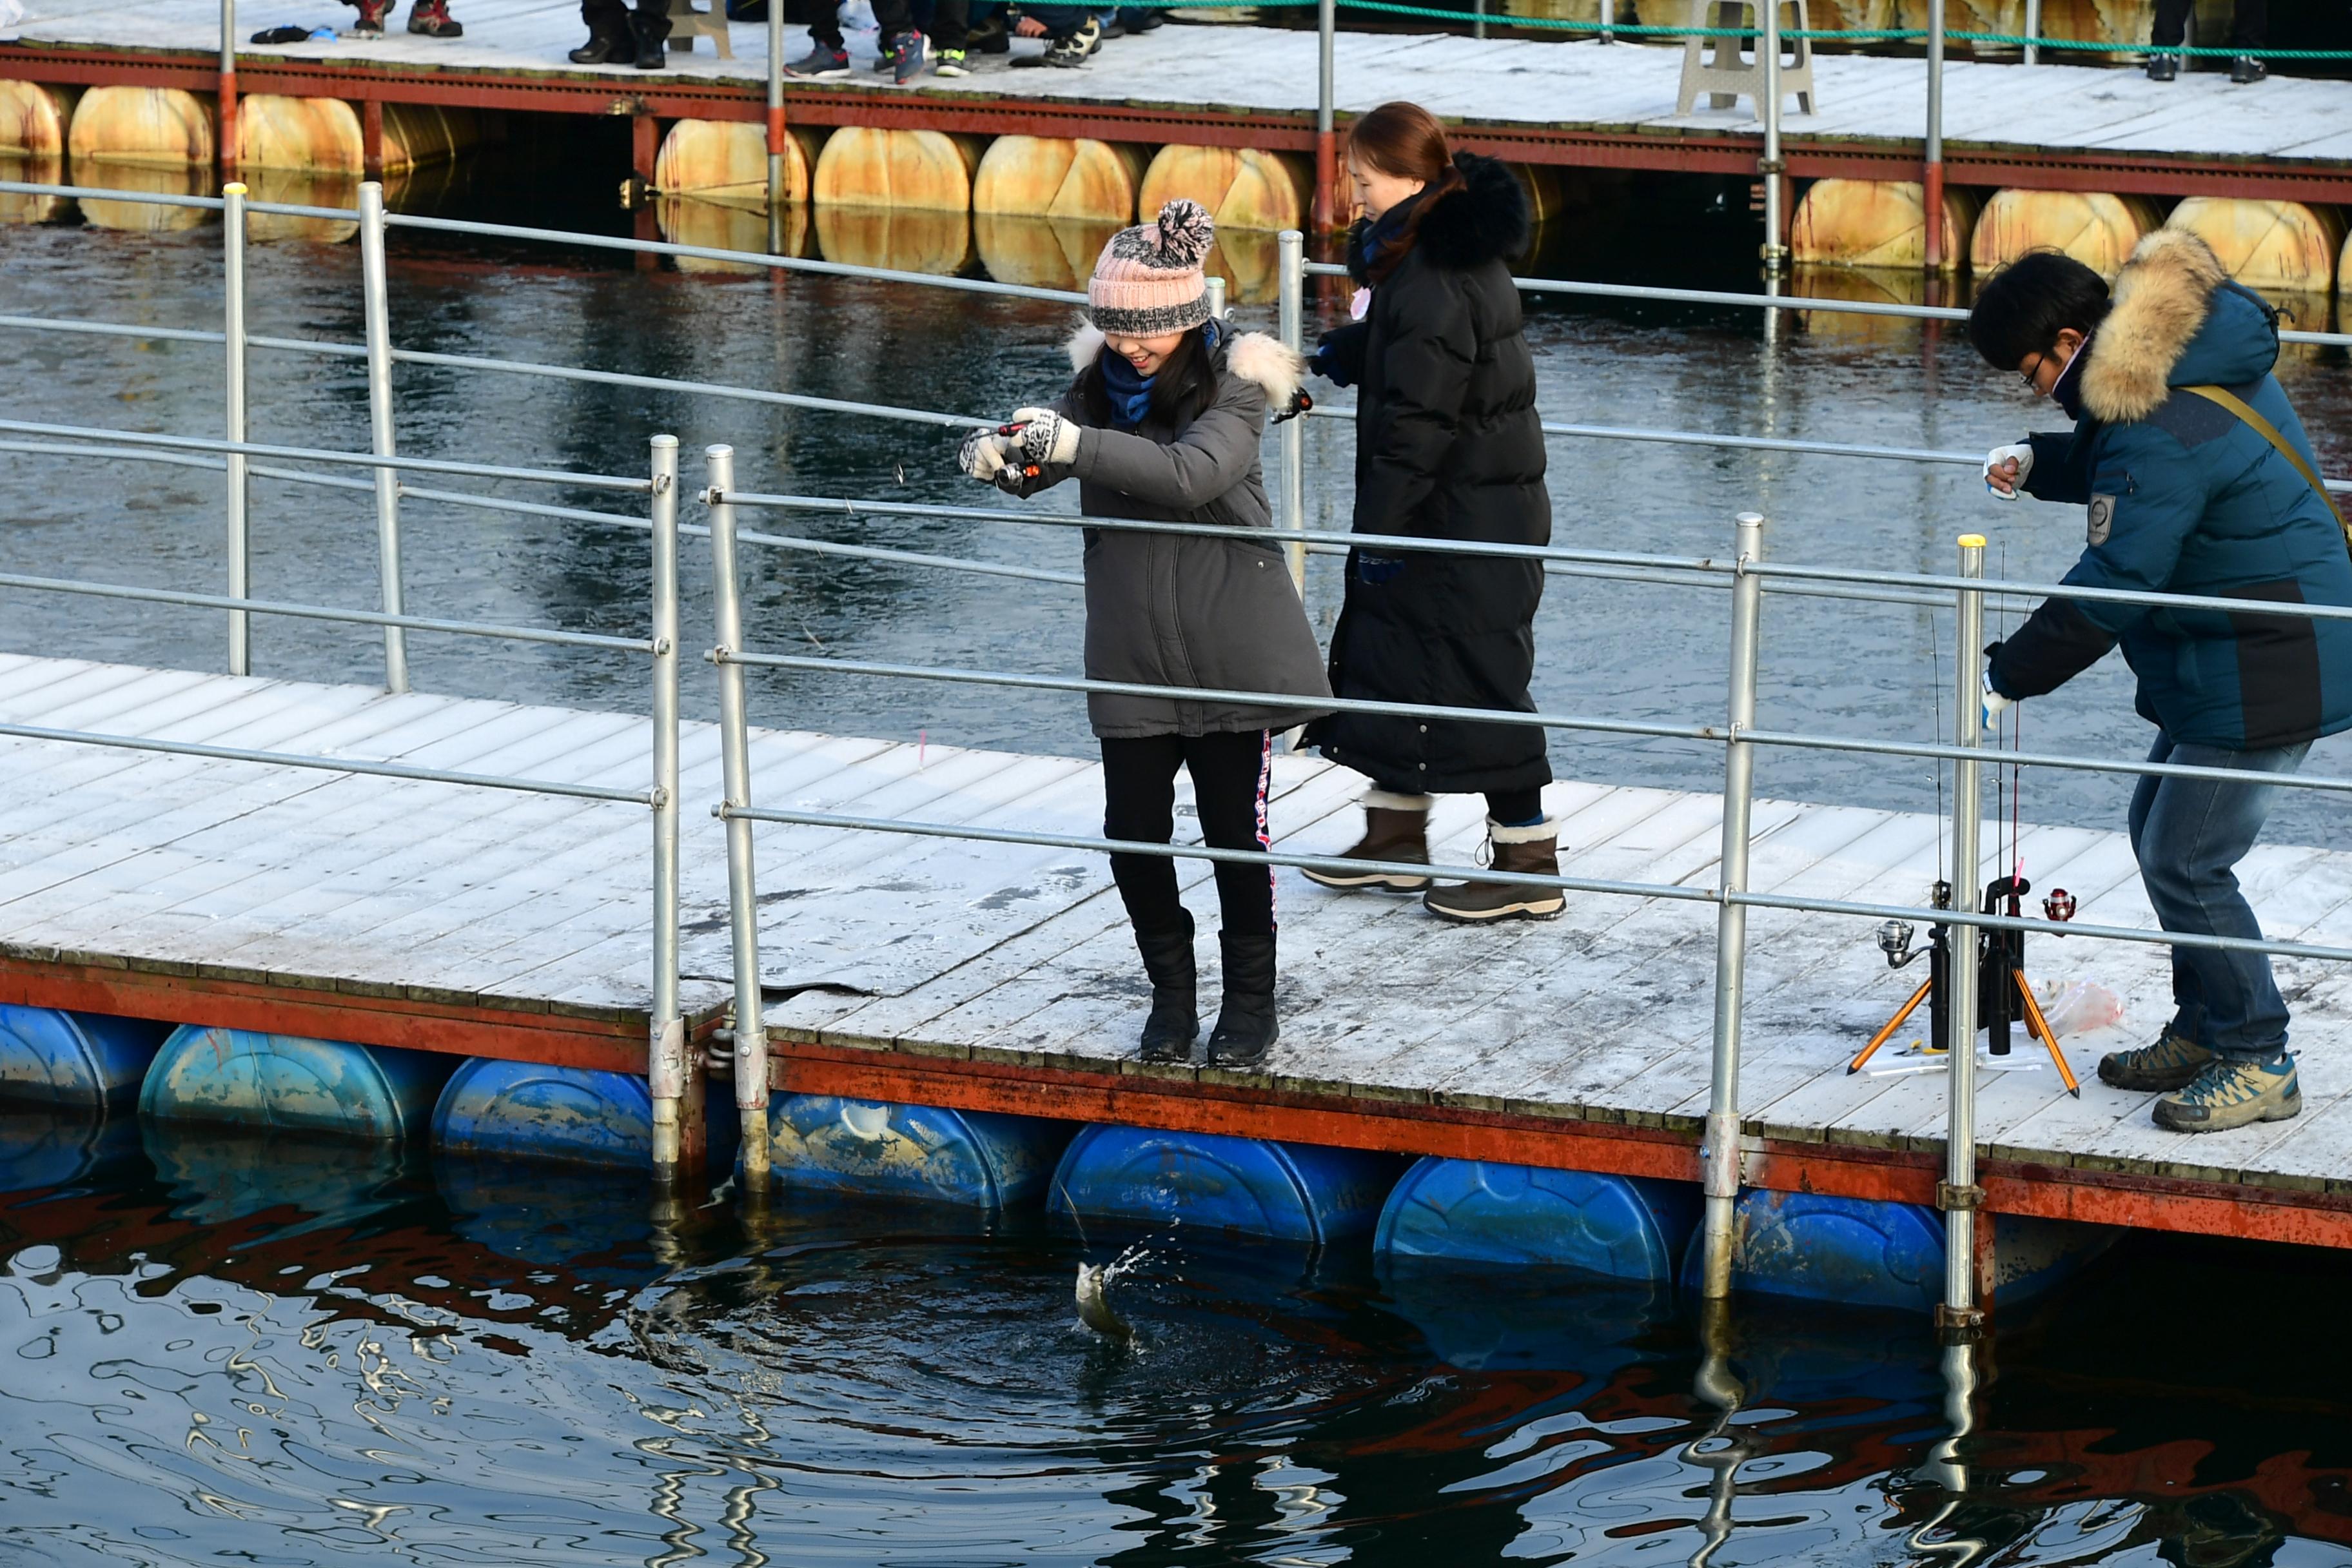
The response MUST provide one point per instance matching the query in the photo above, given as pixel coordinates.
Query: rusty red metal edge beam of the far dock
(1208, 126)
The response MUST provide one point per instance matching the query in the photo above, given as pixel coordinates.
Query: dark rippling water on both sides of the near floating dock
(234, 1353)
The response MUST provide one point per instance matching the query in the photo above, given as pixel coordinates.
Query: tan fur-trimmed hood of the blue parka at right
(2177, 321)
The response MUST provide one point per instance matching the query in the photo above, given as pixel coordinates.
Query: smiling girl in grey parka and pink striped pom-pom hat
(1163, 424)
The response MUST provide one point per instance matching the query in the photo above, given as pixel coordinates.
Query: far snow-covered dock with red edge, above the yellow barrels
(1544, 102)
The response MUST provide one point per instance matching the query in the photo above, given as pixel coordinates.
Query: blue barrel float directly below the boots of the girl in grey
(1243, 1186)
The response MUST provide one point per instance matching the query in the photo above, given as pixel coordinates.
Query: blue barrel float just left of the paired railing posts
(570, 1115)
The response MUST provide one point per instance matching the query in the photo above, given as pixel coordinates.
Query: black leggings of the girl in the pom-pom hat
(1229, 791)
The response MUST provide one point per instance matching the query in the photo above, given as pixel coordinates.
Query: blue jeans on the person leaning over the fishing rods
(2189, 836)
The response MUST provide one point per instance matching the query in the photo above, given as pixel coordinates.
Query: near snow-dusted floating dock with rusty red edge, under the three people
(1003, 979)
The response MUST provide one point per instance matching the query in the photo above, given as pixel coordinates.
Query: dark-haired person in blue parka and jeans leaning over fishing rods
(2181, 497)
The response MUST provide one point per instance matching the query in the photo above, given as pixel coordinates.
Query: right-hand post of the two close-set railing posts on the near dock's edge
(742, 880)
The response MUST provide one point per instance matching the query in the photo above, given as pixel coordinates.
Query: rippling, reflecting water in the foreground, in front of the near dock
(516, 1365)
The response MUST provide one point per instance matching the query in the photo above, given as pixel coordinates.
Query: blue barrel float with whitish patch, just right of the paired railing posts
(881, 1148)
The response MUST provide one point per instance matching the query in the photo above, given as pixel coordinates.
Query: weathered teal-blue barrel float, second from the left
(295, 1085)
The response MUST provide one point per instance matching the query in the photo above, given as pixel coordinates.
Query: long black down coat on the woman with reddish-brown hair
(1448, 445)
